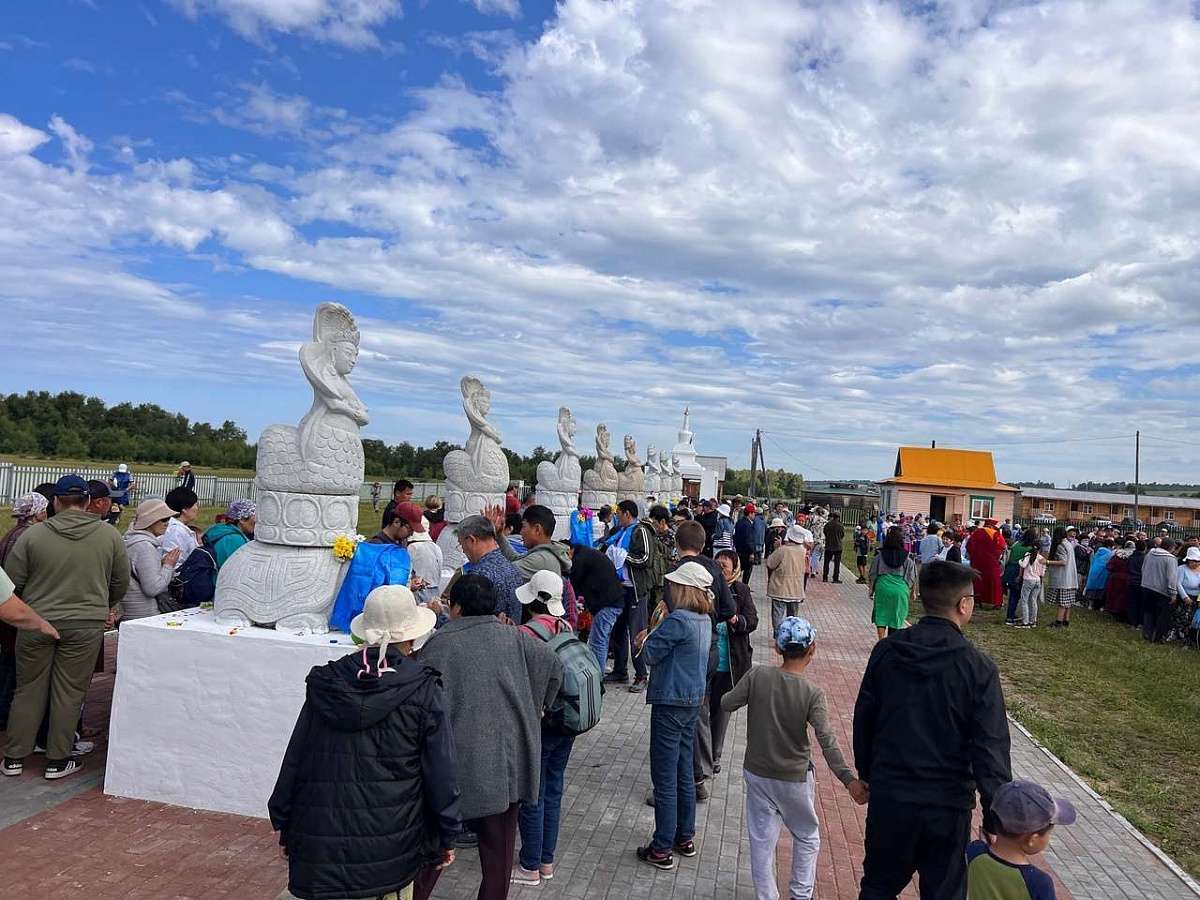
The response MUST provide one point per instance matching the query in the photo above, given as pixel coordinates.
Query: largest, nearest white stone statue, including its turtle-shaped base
(307, 493)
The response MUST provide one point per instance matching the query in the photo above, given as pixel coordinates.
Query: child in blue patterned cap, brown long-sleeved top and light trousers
(778, 767)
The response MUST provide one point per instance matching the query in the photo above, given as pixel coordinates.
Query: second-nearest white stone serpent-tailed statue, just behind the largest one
(478, 476)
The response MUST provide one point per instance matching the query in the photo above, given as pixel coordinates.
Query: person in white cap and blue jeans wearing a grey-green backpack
(577, 711)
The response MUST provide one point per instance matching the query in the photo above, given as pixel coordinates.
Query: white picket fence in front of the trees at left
(213, 491)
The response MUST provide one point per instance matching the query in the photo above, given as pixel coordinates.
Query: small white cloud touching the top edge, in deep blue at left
(351, 23)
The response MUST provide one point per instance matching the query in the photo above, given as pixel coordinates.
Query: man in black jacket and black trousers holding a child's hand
(929, 731)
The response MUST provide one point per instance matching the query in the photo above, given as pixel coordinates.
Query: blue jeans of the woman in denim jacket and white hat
(673, 735)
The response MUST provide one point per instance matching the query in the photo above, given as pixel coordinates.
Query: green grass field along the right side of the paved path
(1123, 713)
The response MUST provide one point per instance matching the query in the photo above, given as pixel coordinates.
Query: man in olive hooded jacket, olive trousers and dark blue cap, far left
(74, 572)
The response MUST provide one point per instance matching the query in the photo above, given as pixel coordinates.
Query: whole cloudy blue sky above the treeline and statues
(851, 225)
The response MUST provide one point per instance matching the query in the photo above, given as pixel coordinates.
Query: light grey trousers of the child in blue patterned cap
(771, 806)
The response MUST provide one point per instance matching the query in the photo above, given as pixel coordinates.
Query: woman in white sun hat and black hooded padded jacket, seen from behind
(368, 794)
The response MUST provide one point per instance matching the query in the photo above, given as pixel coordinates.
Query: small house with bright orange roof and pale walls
(953, 487)
